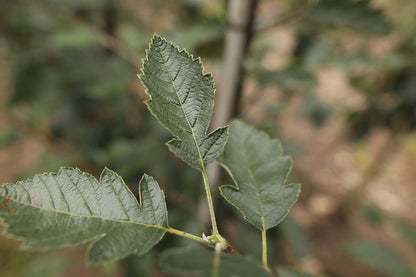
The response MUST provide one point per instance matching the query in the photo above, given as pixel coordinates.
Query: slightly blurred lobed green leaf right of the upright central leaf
(259, 170)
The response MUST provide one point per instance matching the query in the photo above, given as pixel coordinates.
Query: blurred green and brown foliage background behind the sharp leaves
(335, 80)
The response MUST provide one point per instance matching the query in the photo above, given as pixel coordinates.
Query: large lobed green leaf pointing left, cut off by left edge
(55, 210)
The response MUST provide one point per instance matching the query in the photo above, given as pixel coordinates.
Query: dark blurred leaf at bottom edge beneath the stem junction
(199, 262)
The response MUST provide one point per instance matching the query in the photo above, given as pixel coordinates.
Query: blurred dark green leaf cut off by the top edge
(354, 14)
